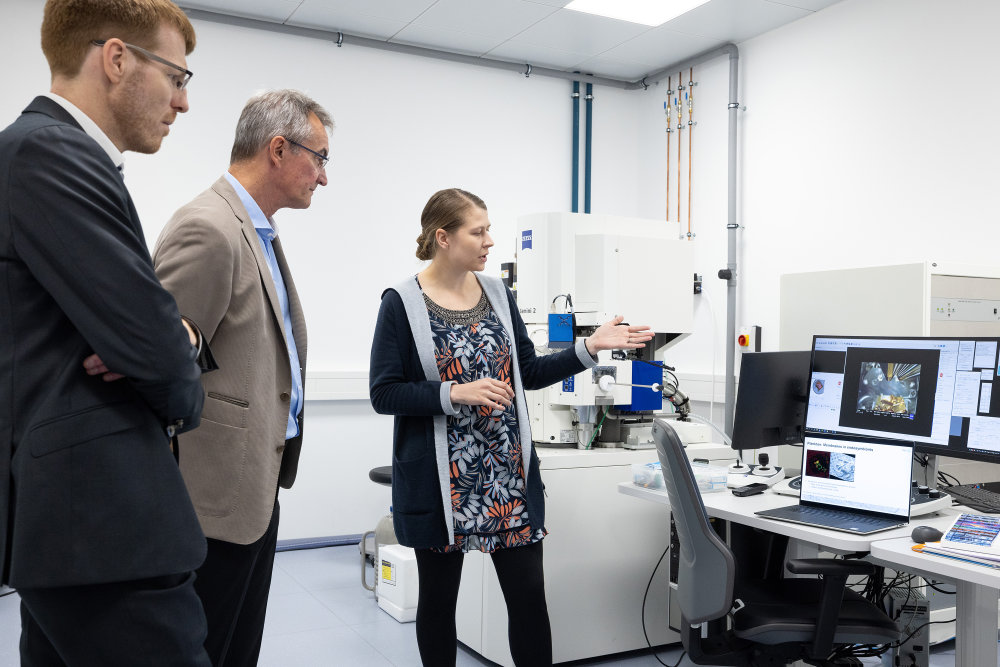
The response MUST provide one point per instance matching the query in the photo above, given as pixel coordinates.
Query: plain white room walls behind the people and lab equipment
(866, 140)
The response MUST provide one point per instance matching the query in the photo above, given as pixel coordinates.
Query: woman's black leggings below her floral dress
(519, 570)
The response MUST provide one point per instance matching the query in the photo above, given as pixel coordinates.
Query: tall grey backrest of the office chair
(706, 568)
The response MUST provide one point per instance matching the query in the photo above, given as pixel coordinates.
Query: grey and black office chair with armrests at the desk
(772, 621)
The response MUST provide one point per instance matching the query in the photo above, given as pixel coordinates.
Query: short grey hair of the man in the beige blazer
(275, 113)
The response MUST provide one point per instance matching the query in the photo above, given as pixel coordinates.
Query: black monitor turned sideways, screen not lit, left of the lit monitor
(771, 401)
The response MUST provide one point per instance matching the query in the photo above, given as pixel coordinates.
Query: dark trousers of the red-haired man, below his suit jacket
(151, 622)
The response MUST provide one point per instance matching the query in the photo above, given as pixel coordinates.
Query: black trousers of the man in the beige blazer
(233, 585)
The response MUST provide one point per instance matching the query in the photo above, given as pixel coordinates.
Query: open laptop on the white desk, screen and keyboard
(852, 485)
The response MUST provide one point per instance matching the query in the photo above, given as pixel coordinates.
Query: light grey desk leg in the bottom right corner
(976, 626)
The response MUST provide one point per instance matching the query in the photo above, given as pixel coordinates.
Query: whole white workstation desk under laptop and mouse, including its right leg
(978, 587)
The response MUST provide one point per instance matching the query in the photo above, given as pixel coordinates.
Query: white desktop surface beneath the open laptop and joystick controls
(724, 505)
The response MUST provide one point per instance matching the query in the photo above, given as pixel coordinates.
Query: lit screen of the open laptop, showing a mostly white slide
(857, 474)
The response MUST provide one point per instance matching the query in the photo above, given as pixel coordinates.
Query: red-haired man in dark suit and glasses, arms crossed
(98, 533)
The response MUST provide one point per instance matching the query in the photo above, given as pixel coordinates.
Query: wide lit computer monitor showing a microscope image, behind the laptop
(935, 392)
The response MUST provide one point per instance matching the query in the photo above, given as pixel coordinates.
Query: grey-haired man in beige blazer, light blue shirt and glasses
(221, 259)
